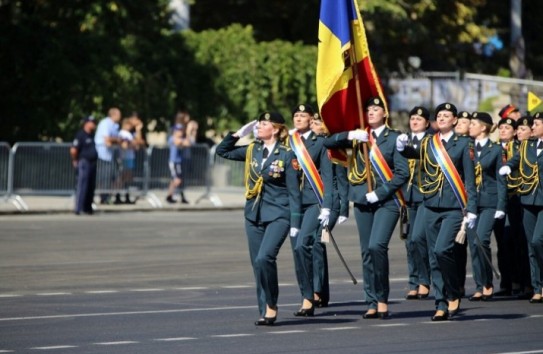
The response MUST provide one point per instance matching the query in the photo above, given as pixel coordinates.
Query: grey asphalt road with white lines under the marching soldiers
(178, 280)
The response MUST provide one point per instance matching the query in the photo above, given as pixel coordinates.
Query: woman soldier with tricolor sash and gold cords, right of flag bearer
(447, 181)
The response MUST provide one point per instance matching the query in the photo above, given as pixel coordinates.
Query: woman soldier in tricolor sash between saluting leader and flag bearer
(316, 201)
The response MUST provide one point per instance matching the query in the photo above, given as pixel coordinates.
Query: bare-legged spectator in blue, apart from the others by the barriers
(177, 142)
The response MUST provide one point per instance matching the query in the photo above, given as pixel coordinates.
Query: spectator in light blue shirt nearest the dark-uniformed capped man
(107, 143)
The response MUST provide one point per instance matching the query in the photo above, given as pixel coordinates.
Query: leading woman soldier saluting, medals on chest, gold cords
(272, 202)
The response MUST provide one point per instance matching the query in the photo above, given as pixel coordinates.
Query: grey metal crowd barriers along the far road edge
(45, 169)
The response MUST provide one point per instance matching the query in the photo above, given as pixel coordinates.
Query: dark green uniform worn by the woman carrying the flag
(375, 222)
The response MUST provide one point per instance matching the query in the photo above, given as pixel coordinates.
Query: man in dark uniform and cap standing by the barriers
(84, 157)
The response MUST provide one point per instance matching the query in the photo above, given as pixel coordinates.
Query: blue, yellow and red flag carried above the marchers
(343, 50)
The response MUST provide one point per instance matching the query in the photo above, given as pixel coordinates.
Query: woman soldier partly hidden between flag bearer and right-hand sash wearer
(418, 265)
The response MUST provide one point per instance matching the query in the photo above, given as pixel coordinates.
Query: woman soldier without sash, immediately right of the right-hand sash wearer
(491, 201)
